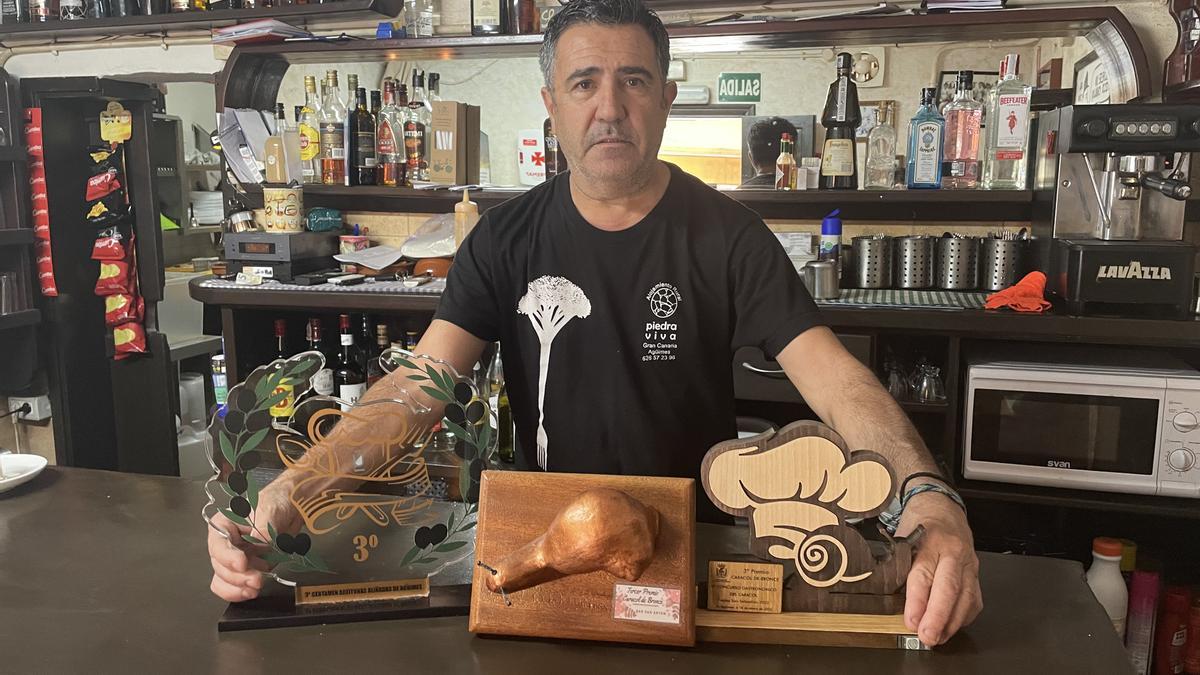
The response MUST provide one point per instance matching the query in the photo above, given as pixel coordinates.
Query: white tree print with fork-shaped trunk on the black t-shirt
(550, 302)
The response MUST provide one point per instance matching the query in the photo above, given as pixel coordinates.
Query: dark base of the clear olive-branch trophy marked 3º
(279, 610)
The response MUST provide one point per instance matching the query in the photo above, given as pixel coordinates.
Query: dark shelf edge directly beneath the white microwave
(1148, 505)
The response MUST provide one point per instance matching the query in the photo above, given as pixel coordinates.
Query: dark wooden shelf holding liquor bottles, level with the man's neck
(859, 205)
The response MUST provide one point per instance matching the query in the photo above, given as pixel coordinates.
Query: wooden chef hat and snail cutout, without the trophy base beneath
(799, 487)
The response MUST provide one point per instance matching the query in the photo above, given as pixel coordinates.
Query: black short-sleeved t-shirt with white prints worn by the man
(619, 347)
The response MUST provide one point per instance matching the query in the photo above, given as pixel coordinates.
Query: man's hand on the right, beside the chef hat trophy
(944, 584)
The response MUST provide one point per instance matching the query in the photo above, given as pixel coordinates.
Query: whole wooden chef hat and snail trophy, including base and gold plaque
(801, 489)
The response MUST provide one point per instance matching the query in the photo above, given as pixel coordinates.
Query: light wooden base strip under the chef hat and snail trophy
(807, 629)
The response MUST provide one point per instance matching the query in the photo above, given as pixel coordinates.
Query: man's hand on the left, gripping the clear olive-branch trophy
(238, 565)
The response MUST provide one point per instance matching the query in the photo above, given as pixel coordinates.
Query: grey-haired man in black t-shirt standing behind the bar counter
(619, 292)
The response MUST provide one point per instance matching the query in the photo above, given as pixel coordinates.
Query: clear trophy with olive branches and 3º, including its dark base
(381, 528)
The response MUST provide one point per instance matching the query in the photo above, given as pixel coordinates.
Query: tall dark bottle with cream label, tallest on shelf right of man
(842, 117)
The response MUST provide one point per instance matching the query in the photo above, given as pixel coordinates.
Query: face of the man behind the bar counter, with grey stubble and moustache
(609, 103)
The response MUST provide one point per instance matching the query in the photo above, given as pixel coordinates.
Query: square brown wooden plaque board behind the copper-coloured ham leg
(657, 608)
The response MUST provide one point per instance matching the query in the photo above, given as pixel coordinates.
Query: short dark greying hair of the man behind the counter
(604, 13)
